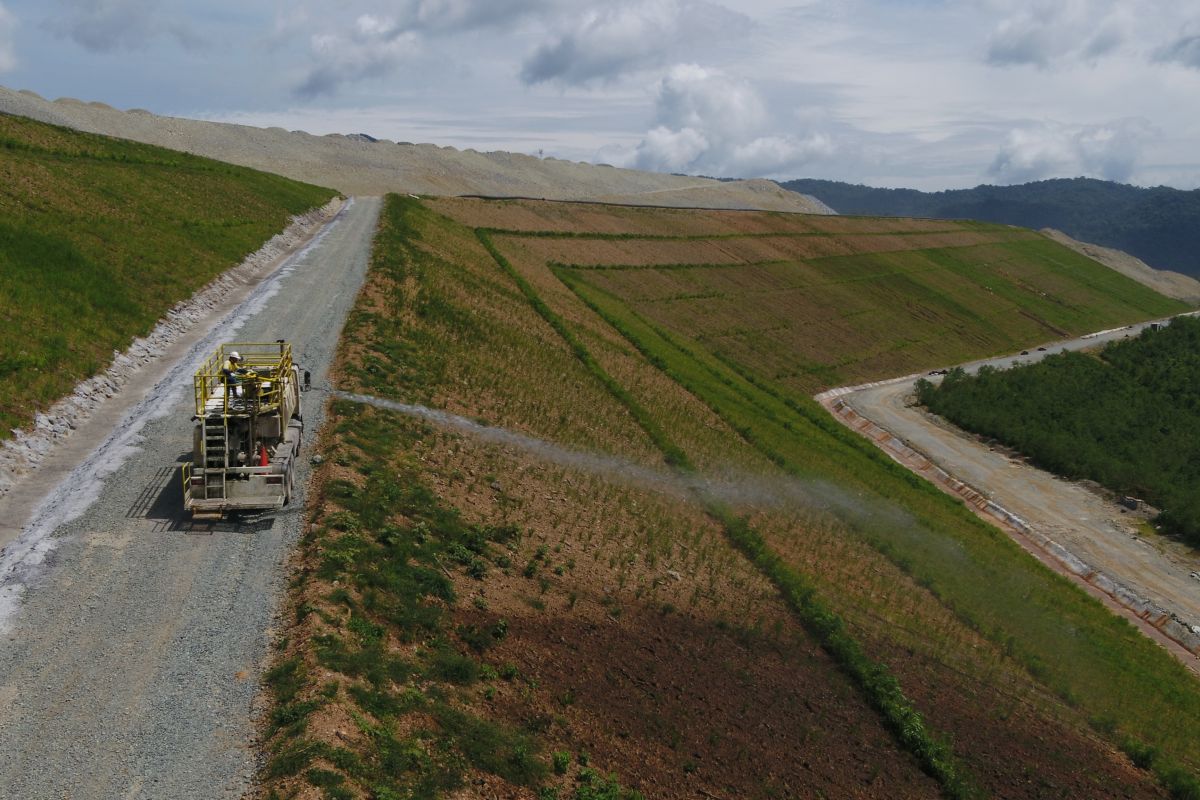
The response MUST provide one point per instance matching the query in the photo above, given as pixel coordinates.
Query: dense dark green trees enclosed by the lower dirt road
(1129, 419)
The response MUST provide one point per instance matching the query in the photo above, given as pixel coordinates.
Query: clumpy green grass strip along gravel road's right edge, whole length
(389, 544)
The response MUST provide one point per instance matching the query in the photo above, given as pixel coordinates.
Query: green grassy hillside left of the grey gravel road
(100, 237)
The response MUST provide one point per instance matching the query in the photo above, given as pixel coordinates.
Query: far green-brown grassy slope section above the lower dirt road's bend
(812, 323)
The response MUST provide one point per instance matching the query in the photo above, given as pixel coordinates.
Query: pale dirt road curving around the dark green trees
(1082, 533)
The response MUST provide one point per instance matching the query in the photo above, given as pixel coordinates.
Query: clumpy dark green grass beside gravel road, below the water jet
(394, 588)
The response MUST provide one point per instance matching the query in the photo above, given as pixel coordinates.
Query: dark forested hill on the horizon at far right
(1161, 226)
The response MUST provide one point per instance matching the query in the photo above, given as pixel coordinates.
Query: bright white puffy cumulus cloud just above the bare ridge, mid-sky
(711, 123)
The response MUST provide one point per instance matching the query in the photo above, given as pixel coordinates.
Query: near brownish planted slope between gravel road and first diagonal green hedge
(449, 582)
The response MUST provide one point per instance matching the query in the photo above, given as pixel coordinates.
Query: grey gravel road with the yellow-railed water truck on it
(133, 665)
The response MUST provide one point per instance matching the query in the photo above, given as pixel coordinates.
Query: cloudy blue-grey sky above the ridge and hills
(929, 94)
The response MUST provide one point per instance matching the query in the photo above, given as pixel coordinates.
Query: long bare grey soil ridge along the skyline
(356, 166)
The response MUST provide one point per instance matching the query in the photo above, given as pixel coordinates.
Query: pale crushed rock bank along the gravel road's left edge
(29, 447)
